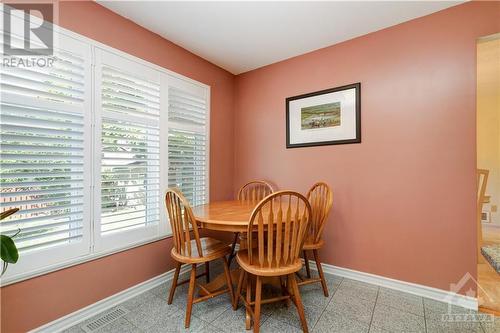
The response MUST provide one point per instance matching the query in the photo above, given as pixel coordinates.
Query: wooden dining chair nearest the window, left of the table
(192, 250)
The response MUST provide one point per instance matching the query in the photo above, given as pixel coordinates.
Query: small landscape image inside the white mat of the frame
(320, 116)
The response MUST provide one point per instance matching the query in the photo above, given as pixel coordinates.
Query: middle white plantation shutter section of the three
(129, 169)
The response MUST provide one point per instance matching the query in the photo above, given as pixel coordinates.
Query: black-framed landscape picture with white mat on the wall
(326, 117)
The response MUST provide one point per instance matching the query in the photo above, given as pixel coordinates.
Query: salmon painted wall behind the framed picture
(404, 199)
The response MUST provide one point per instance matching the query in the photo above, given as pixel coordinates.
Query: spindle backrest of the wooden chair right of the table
(320, 197)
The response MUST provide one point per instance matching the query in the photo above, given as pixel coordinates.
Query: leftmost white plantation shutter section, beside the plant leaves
(45, 140)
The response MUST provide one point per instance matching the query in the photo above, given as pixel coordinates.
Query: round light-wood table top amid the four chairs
(230, 215)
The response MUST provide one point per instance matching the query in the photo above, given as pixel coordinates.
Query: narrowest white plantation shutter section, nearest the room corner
(188, 139)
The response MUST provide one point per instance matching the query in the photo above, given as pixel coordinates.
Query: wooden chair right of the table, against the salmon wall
(321, 198)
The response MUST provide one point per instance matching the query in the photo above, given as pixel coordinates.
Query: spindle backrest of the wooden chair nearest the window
(182, 220)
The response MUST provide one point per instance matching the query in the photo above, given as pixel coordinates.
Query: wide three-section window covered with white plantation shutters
(88, 148)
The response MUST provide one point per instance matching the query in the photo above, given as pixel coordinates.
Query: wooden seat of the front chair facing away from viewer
(244, 262)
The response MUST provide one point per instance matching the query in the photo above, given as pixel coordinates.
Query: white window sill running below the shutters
(74, 262)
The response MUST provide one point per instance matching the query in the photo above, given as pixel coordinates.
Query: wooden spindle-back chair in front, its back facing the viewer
(278, 225)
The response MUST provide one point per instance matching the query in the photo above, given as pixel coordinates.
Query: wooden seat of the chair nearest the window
(211, 248)
